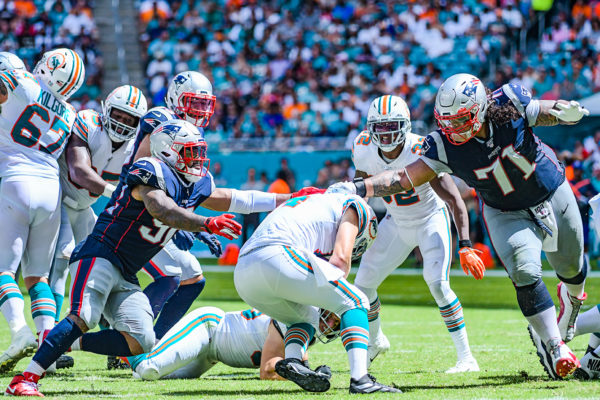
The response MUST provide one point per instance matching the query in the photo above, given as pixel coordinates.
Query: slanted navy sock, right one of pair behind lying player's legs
(176, 307)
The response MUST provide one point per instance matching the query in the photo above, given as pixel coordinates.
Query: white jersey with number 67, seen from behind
(34, 127)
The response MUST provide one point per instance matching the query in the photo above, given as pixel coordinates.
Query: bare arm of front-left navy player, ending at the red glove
(164, 209)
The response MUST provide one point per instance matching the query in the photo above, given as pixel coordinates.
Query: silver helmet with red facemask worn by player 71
(460, 107)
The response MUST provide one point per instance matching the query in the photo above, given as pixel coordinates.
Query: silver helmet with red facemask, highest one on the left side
(190, 96)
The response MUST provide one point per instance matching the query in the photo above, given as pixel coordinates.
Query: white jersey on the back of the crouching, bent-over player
(309, 222)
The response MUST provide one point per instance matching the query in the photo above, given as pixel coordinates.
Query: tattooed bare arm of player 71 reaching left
(391, 182)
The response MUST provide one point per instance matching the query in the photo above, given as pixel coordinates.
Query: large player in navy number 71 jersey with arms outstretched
(487, 140)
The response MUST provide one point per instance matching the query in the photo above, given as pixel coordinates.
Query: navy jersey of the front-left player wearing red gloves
(125, 233)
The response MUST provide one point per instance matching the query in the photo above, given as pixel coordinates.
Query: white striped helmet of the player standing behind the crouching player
(388, 122)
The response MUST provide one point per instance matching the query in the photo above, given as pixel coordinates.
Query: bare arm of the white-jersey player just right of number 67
(80, 167)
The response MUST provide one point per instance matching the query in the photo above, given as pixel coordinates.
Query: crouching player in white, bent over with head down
(281, 273)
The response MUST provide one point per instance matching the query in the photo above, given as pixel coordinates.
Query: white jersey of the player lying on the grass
(240, 337)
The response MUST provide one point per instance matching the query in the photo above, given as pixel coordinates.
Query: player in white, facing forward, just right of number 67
(91, 163)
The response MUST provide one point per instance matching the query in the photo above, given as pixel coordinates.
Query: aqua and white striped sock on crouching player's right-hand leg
(355, 338)
